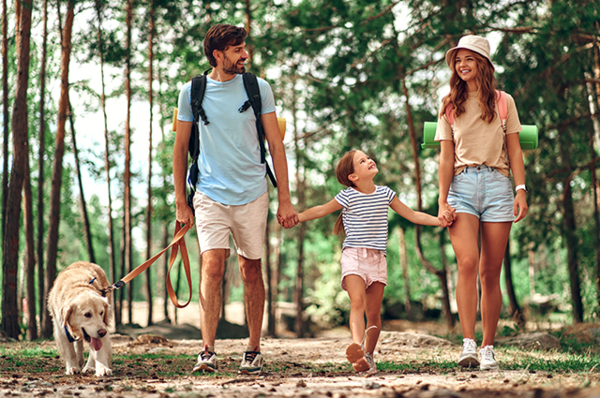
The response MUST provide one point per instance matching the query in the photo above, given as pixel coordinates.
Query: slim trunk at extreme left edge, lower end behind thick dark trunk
(4, 113)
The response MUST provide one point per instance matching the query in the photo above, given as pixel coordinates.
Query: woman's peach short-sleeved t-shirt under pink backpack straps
(477, 142)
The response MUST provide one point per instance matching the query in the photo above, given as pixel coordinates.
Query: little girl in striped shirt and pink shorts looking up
(364, 267)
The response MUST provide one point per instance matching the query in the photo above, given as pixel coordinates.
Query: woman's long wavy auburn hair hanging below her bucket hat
(486, 82)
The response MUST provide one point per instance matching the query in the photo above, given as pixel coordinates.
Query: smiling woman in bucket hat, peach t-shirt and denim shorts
(476, 147)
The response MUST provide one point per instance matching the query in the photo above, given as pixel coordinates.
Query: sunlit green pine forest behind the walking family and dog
(89, 89)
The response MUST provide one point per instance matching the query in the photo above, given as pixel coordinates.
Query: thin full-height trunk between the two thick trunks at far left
(41, 153)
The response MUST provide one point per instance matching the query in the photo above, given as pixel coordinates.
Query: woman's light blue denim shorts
(484, 192)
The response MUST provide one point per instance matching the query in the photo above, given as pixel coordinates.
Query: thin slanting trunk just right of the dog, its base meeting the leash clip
(111, 238)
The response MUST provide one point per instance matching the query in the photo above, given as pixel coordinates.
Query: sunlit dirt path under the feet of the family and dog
(411, 366)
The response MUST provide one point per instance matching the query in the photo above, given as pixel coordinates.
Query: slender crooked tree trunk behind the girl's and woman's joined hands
(443, 273)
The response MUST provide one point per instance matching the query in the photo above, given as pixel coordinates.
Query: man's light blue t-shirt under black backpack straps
(230, 171)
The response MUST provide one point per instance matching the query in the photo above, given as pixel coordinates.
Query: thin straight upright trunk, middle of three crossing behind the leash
(127, 176)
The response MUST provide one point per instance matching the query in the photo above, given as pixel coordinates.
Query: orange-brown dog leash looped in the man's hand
(178, 243)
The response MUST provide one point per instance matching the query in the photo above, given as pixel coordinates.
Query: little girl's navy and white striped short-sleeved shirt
(365, 217)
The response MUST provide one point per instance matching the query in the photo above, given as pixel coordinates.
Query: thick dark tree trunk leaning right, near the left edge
(10, 248)
